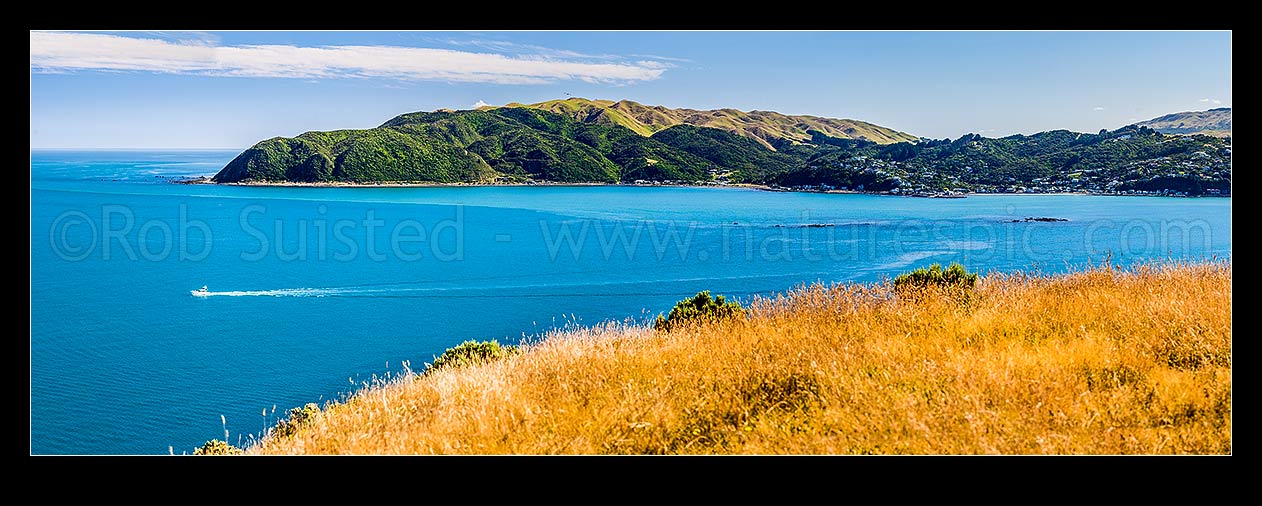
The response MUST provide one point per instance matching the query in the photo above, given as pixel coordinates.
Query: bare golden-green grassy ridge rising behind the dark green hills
(768, 128)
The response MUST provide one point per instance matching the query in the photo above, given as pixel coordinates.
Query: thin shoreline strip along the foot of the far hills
(744, 186)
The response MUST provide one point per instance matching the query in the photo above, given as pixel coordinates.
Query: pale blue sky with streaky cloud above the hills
(201, 90)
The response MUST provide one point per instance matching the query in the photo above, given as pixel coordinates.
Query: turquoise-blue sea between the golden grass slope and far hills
(315, 291)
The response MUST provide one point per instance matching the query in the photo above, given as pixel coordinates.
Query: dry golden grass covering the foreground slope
(1096, 363)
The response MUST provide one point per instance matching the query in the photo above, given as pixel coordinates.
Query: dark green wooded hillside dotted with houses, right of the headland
(1131, 158)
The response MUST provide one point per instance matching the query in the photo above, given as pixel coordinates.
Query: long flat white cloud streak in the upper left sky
(57, 51)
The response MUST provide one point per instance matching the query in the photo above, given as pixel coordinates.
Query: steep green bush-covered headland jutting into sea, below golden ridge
(509, 144)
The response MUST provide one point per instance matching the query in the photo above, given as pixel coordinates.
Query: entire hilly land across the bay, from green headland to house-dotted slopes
(603, 142)
